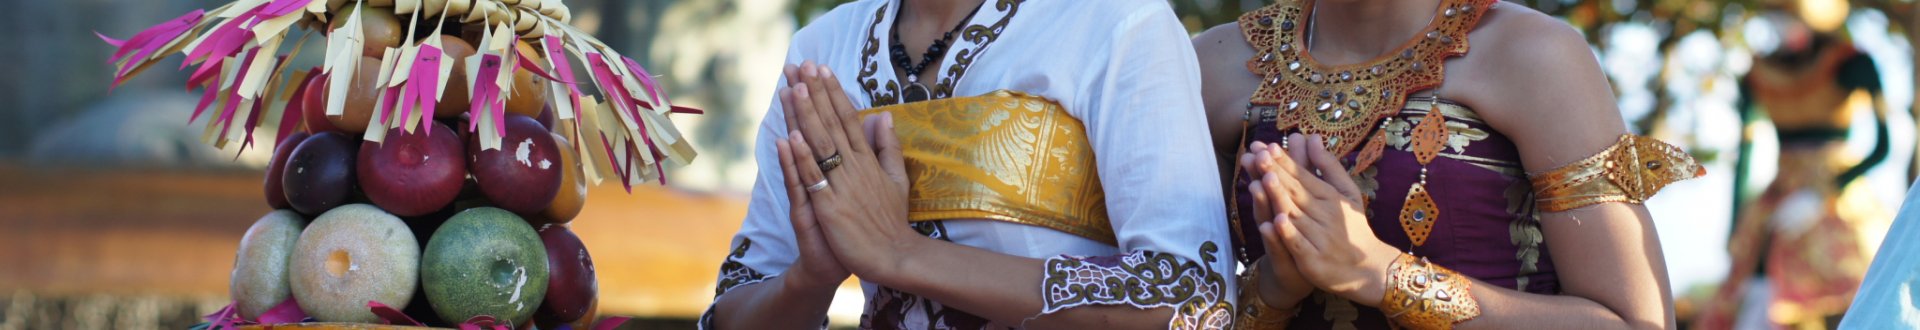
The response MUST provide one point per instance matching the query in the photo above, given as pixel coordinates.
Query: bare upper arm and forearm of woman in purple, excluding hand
(1558, 108)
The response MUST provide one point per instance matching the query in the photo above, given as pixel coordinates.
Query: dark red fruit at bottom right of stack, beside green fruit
(571, 283)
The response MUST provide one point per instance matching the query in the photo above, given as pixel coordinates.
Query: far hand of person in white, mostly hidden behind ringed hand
(817, 266)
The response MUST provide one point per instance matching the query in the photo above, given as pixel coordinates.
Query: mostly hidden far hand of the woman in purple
(1282, 285)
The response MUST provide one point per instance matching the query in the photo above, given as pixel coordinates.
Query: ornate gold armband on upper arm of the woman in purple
(1633, 170)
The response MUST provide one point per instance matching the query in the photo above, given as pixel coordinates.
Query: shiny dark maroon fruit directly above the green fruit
(523, 174)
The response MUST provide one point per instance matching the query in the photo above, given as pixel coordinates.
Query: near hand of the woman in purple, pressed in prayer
(1324, 225)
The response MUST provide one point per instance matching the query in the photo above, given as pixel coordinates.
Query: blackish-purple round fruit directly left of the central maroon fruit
(320, 174)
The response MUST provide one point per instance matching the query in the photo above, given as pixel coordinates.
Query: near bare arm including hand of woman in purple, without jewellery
(1539, 85)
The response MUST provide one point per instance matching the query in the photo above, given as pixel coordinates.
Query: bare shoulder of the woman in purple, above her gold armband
(1537, 82)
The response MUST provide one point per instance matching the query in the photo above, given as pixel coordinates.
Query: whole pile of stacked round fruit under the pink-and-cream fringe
(420, 220)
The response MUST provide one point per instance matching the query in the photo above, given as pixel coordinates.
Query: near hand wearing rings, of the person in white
(861, 202)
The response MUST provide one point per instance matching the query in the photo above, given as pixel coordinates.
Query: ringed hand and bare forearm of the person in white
(871, 239)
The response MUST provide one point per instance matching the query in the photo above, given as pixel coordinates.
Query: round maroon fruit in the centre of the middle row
(414, 174)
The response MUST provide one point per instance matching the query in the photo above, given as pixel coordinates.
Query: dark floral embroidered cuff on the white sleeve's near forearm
(1145, 281)
